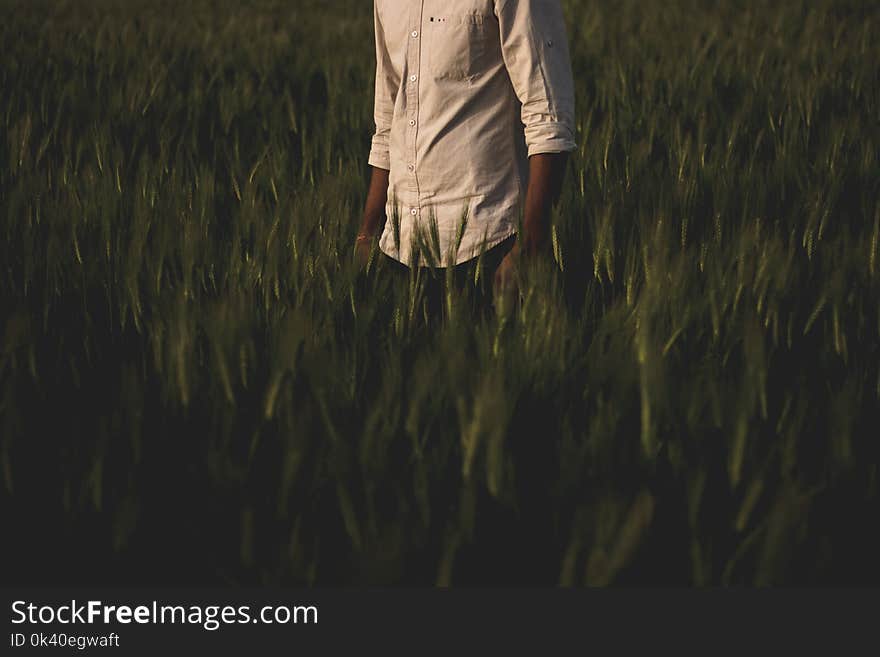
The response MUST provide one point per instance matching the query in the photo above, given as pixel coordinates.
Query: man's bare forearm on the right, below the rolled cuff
(546, 173)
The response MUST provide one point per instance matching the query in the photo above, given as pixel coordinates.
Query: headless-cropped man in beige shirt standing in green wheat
(474, 113)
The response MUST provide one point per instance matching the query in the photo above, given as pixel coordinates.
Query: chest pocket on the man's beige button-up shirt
(457, 45)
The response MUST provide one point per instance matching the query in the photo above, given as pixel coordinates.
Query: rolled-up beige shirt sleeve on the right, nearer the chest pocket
(535, 49)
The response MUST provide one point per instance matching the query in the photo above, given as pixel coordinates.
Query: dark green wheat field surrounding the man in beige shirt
(197, 387)
